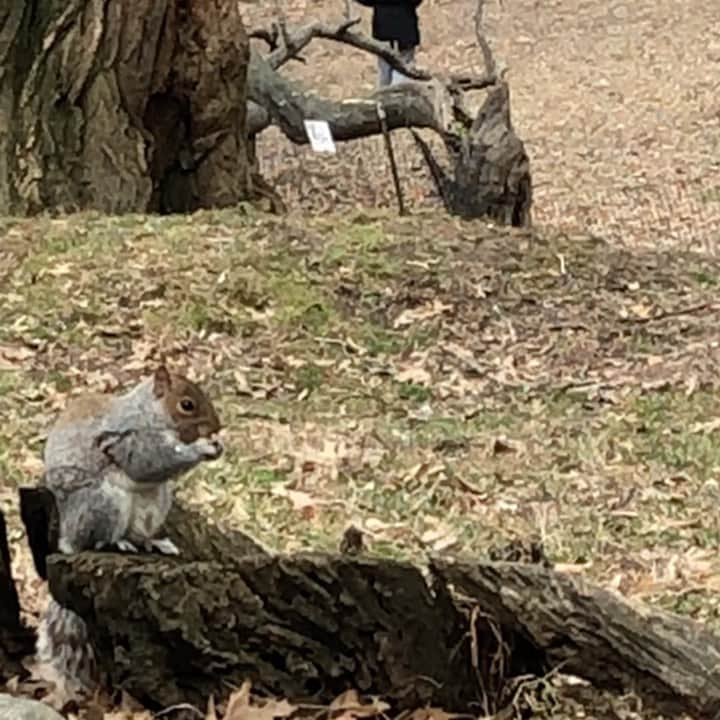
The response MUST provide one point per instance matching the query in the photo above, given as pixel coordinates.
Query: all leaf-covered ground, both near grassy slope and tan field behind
(596, 366)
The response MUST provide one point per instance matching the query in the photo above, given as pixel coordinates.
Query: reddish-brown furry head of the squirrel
(192, 412)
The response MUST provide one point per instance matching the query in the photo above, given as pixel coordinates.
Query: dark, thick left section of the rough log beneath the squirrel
(304, 627)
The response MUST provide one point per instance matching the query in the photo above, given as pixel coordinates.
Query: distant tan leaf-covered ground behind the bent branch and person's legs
(616, 101)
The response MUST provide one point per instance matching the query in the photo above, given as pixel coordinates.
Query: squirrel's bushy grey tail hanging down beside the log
(63, 647)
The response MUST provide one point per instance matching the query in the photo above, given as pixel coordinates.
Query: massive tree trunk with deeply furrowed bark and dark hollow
(122, 106)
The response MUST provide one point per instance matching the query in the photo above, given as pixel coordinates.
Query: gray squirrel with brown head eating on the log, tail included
(108, 460)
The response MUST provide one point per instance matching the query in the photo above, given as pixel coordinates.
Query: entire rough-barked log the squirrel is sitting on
(309, 626)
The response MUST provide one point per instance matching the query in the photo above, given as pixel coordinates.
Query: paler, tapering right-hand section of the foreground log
(669, 661)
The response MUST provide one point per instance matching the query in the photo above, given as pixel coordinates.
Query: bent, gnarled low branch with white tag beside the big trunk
(491, 175)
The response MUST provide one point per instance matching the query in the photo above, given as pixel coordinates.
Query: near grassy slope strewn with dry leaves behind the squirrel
(545, 406)
